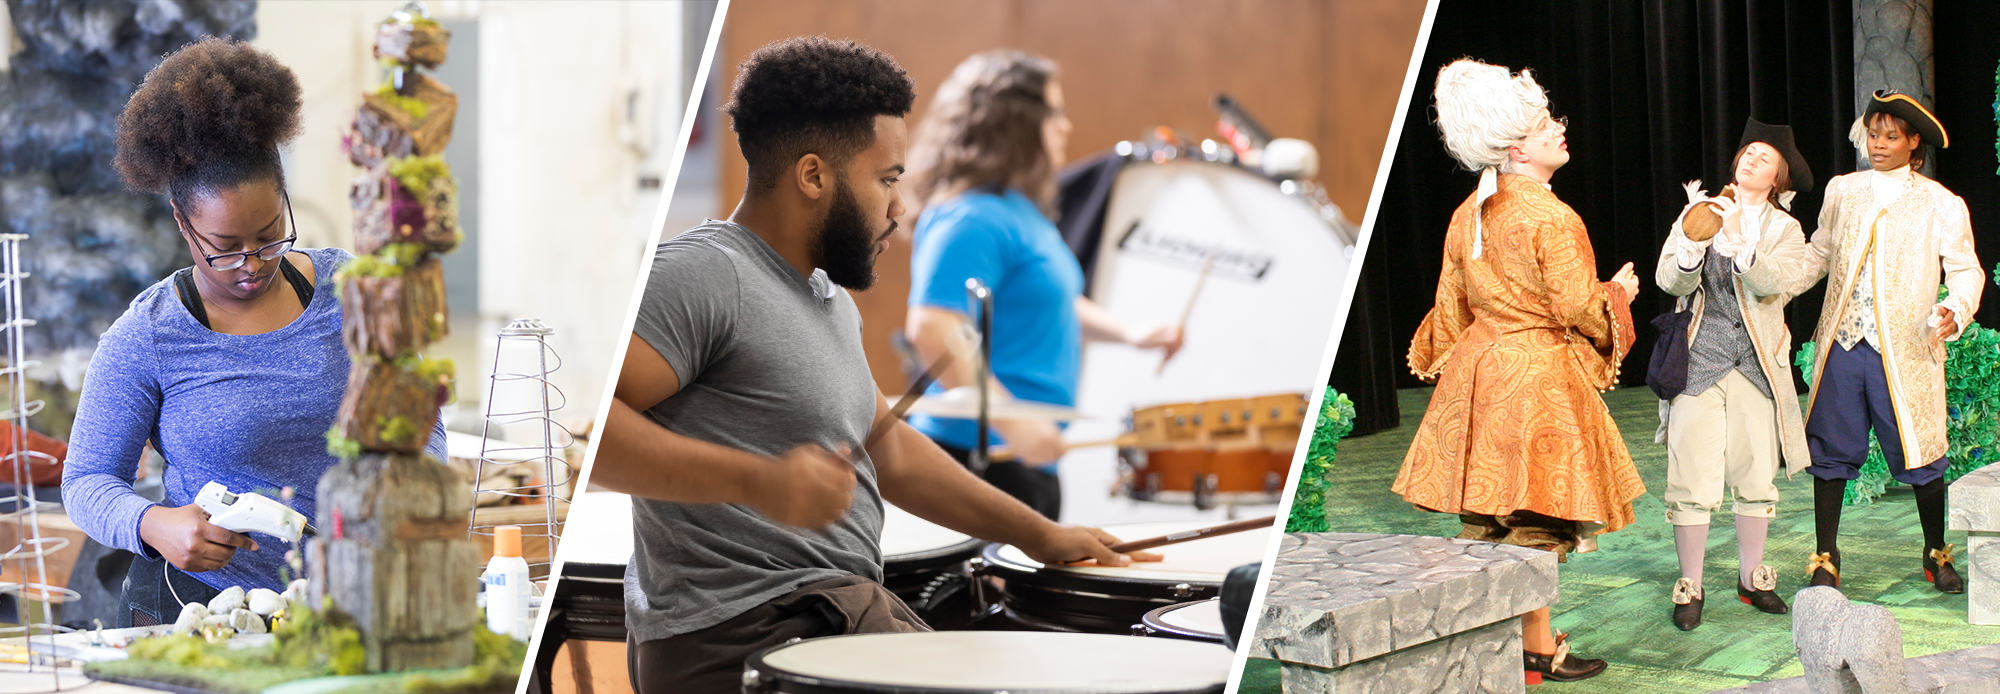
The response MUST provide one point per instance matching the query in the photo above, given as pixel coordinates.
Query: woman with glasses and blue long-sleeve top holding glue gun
(231, 369)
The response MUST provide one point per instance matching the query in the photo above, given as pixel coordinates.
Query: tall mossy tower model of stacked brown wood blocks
(395, 553)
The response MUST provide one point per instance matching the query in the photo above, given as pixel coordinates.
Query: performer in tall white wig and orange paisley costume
(1521, 345)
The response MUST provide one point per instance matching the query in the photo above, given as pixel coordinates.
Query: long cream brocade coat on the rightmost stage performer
(1923, 239)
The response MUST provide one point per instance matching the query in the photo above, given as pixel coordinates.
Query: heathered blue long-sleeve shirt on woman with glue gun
(243, 411)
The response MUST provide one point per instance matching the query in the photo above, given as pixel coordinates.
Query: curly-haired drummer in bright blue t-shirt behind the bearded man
(985, 161)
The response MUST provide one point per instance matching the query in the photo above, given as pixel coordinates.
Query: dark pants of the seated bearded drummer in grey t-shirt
(713, 659)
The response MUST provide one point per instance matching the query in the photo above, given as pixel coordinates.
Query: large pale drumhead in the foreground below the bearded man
(1021, 663)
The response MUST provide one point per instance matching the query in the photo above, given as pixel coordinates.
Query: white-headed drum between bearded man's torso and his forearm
(927, 567)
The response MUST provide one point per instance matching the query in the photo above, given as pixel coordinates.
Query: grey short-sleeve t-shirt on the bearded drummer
(769, 361)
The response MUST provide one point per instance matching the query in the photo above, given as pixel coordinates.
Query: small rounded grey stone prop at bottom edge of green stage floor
(1847, 647)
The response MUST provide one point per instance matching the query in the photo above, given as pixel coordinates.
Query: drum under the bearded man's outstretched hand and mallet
(1111, 599)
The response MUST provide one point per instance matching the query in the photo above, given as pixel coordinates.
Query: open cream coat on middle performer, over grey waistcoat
(1781, 271)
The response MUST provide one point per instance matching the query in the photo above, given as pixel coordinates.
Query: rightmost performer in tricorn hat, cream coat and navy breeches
(1887, 239)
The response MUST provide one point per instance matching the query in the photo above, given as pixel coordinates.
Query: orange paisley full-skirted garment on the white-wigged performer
(1521, 345)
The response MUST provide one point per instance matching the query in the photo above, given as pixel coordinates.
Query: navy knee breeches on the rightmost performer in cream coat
(1855, 399)
